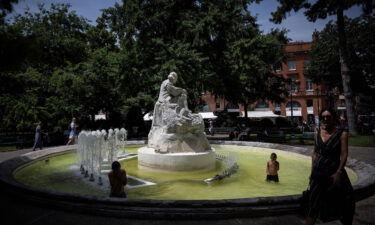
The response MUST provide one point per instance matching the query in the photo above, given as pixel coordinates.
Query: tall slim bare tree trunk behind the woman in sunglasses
(350, 112)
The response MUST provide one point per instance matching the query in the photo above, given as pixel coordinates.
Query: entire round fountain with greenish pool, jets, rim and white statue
(192, 171)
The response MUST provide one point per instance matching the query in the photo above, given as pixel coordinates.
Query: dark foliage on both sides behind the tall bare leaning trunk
(325, 65)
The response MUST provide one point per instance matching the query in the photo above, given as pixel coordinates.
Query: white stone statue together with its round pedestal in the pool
(176, 141)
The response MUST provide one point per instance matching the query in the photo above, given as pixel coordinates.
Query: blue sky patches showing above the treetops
(299, 28)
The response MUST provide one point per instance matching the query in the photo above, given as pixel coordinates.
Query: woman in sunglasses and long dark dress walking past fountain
(331, 193)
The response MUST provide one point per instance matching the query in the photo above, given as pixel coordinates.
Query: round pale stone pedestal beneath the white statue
(187, 161)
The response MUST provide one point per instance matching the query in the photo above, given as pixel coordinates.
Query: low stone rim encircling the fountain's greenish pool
(176, 209)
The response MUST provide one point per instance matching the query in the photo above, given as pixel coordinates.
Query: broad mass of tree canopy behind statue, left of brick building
(58, 65)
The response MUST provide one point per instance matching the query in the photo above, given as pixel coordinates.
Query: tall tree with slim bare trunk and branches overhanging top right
(321, 9)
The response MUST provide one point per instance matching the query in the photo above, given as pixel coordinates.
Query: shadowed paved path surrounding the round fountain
(18, 212)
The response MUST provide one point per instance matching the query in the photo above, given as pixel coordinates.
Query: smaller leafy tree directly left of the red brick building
(252, 61)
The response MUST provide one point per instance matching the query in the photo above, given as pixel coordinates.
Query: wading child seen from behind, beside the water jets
(118, 179)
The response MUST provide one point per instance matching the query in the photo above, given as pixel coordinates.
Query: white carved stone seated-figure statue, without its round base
(174, 128)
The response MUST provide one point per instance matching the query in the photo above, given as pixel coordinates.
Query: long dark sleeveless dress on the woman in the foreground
(328, 201)
